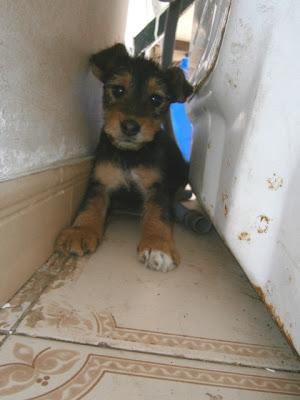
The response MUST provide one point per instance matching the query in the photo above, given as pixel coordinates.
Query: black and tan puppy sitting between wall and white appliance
(136, 162)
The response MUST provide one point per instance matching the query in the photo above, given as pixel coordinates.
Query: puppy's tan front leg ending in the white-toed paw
(157, 248)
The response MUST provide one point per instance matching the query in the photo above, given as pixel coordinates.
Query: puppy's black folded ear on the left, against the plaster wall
(102, 62)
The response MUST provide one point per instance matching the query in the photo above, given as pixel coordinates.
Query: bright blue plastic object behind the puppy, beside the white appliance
(181, 125)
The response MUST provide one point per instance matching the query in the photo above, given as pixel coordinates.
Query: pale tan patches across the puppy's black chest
(114, 177)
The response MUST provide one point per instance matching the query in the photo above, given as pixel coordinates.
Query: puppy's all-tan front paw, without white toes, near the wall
(77, 240)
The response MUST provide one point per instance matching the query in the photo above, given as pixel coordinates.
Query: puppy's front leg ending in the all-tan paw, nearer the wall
(84, 236)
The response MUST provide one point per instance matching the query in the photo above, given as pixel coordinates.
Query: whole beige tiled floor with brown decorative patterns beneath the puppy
(105, 327)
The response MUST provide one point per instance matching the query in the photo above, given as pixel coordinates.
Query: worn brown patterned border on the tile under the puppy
(90, 327)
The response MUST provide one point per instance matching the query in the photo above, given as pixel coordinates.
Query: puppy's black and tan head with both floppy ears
(137, 95)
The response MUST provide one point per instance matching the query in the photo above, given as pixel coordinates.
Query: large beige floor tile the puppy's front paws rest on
(205, 309)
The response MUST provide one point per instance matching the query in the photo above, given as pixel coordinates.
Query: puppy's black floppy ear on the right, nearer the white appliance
(179, 87)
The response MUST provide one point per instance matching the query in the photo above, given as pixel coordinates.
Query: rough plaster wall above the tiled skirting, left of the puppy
(49, 103)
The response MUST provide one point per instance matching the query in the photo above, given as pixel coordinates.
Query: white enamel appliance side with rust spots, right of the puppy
(246, 151)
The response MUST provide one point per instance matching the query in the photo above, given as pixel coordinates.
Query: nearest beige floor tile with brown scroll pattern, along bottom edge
(45, 369)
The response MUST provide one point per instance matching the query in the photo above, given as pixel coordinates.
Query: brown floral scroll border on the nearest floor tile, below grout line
(39, 370)
